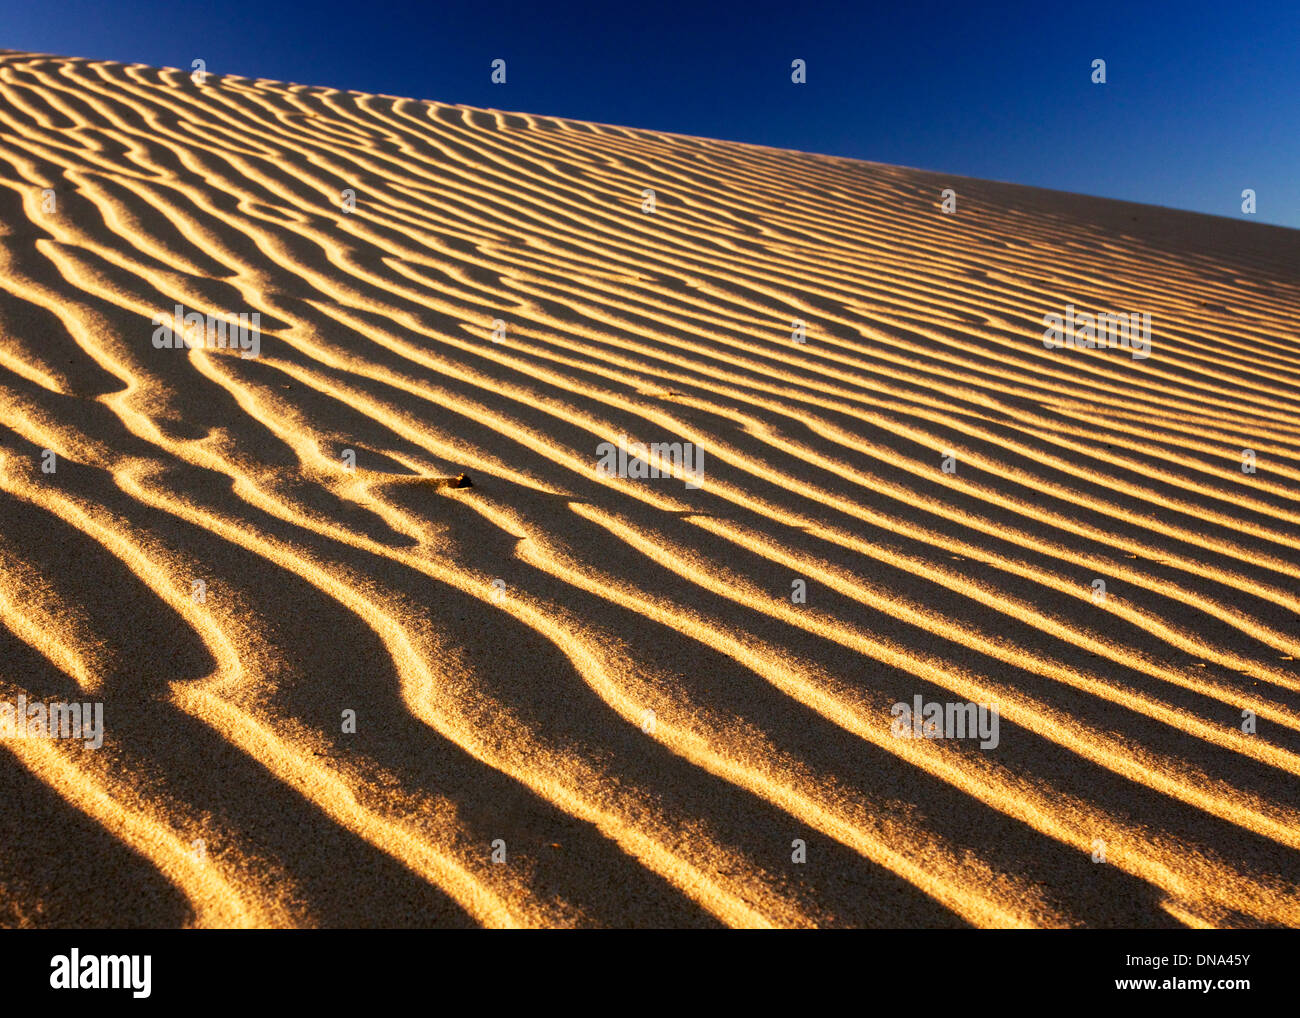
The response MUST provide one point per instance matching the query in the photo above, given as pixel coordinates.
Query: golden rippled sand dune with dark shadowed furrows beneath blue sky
(613, 682)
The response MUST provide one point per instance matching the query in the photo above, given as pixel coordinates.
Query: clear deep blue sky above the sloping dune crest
(1201, 101)
